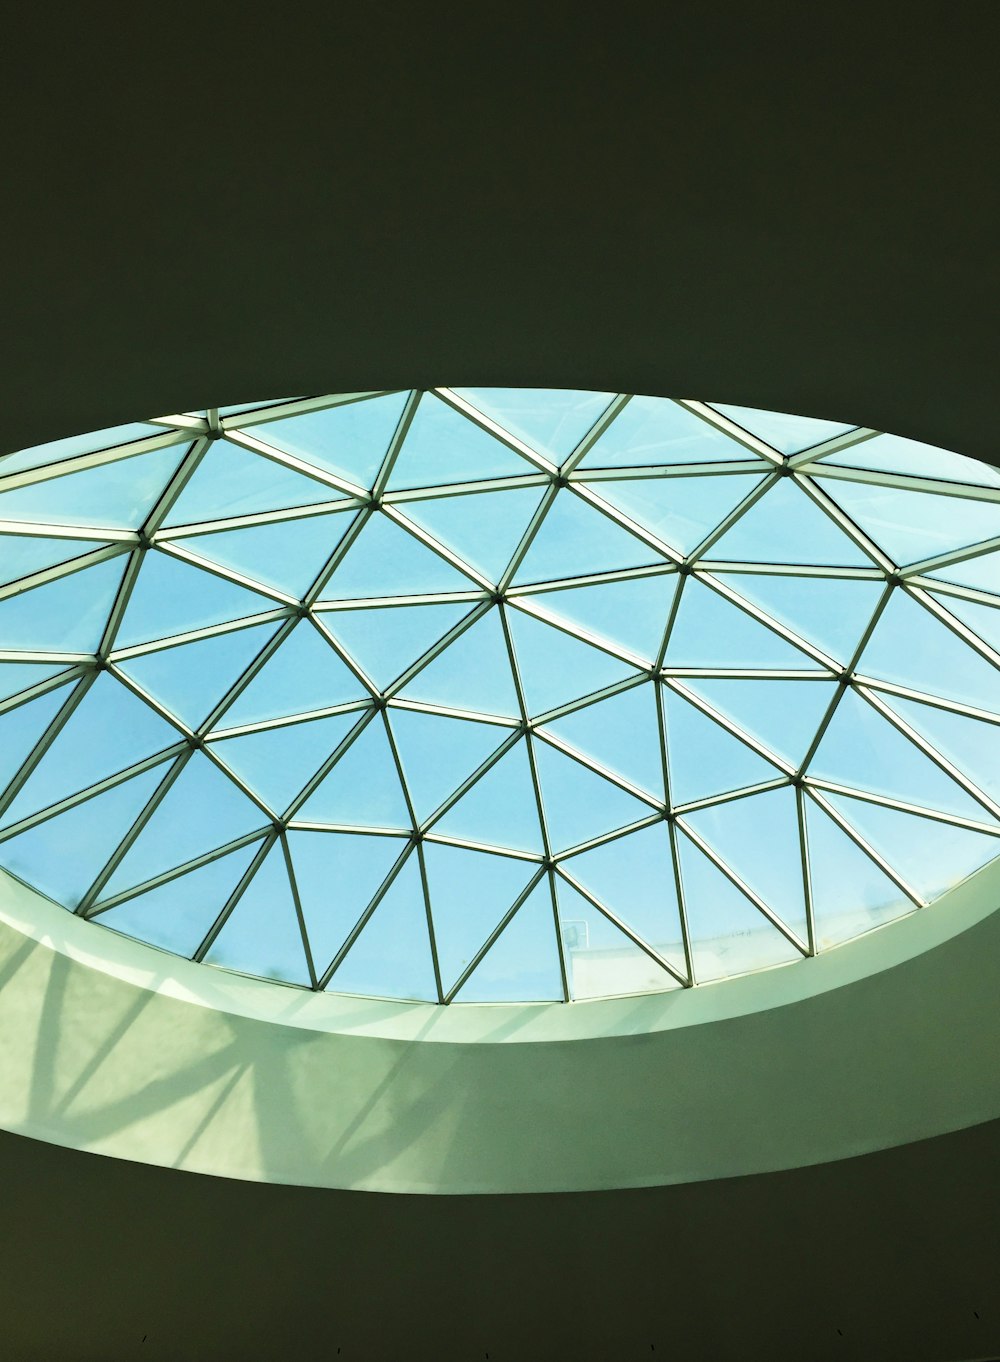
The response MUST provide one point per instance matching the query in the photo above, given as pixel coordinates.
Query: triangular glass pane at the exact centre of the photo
(473, 674)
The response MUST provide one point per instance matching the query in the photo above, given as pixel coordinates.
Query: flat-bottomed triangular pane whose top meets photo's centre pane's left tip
(363, 791)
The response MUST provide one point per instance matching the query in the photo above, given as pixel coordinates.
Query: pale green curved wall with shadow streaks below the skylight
(110, 1047)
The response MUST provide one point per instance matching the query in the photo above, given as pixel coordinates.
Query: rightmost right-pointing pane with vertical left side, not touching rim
(705, 759)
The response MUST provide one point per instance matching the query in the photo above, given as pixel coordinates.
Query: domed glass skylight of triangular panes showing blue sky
(495, 695)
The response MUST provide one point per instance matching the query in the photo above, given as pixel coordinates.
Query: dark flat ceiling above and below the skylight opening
(772, 205)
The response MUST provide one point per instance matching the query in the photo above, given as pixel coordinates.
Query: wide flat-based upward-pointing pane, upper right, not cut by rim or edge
(787, 526)
